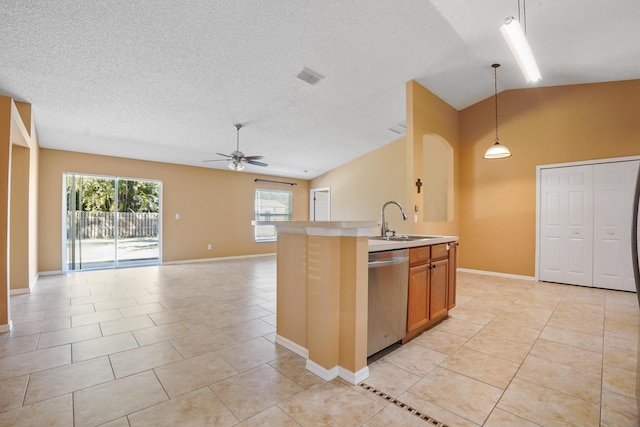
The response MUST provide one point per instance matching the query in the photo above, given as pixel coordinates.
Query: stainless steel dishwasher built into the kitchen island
(388, 288)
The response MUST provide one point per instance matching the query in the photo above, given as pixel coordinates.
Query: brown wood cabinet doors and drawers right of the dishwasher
(429, 296)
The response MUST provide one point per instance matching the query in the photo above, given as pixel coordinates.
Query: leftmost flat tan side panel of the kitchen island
(291, 311)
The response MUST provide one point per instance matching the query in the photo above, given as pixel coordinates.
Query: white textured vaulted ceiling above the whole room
(167, 80)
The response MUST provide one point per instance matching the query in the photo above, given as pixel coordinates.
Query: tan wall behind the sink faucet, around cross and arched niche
(360, 188)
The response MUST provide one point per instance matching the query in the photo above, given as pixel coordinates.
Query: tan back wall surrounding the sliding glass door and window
(215, 206)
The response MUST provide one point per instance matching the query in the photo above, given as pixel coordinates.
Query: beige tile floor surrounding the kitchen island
(193, 345)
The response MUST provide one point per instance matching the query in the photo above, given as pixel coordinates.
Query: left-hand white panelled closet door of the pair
(566, 225)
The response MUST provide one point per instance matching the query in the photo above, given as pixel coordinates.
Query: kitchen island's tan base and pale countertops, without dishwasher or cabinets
(322, 291)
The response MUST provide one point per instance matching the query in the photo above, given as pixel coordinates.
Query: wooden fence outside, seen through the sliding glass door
(101, 225)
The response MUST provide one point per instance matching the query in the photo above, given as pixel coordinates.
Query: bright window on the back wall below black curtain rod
(271, 205)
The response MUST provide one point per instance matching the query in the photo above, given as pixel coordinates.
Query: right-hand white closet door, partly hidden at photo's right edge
(614, 184)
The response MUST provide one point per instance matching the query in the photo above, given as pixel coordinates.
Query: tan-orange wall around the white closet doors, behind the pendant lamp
(539, 126)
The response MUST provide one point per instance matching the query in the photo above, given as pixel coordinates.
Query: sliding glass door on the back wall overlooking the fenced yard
(110, 222)
